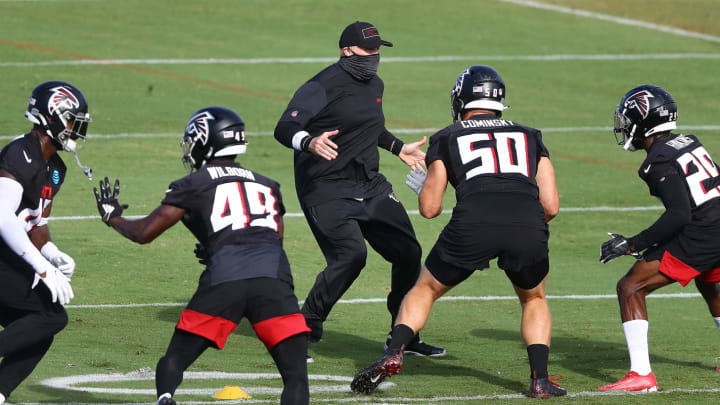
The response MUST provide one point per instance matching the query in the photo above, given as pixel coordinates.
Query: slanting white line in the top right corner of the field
(618, 20)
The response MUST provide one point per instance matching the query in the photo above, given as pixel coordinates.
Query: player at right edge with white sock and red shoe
(684, 243)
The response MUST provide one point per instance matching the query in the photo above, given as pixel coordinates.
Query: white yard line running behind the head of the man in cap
(389, 59)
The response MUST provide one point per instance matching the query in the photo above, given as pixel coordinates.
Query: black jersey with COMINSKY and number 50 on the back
(486, 154)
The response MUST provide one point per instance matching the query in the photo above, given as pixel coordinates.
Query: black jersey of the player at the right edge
(684, 155)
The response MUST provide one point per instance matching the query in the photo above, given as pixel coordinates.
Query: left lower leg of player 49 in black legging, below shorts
(184, 349)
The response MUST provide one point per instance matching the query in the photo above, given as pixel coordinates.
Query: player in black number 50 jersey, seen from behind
(506, 194)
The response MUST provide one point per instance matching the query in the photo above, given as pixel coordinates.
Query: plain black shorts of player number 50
(506, 226)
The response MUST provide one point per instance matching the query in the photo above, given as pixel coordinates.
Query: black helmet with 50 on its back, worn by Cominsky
(478, 86)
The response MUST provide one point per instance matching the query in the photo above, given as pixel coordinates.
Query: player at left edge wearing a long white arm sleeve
(34, 273)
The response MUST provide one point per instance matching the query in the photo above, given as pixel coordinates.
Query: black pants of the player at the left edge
(30, 321)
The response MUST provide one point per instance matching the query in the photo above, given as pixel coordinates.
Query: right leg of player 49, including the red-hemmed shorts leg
(277, 321)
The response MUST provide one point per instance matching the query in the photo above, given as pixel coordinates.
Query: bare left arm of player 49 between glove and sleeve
(145, 230)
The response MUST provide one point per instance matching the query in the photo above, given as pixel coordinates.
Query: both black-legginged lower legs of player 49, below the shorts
(289, 356)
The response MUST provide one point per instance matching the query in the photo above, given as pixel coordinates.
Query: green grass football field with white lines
(146, 66)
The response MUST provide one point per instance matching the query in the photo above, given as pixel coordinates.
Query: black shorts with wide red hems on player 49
(269, 304)
